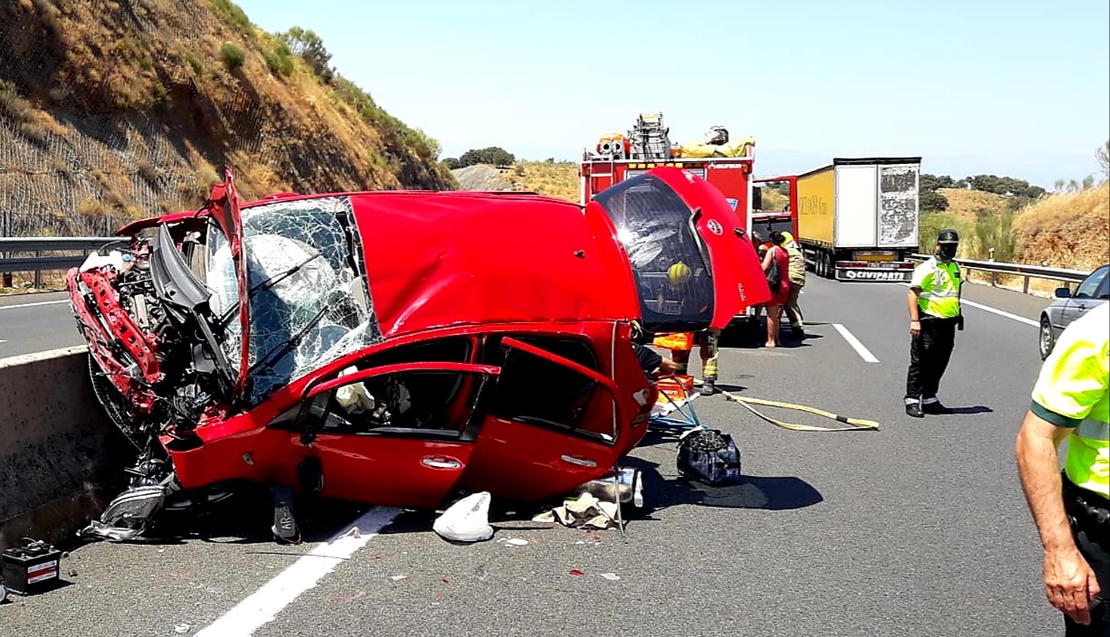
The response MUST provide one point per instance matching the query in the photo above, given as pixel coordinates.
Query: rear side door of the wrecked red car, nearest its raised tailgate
(552, 424)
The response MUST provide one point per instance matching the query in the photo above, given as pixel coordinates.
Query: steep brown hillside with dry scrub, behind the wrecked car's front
(114, 109)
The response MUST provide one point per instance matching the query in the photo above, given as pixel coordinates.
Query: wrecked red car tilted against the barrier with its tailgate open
(397, 348)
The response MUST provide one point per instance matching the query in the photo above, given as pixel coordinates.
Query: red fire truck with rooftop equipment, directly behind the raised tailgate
(724, 164)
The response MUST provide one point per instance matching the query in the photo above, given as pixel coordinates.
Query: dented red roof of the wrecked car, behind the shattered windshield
(470, 259)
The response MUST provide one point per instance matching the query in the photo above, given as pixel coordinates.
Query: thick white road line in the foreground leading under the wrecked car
(263, 606)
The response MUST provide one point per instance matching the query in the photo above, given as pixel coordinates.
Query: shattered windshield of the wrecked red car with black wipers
(309, 300)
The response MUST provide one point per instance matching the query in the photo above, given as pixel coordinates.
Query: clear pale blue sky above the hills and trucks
(1015, 88)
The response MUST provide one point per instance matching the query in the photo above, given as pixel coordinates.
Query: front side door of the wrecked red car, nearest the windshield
(395, 436)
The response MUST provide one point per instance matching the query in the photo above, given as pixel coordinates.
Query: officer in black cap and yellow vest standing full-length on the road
(934, 316)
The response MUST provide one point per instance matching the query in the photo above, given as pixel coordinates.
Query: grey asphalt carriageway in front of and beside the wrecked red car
(919, 529)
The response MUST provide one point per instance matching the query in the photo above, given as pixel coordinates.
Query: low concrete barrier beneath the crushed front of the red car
(60, 456)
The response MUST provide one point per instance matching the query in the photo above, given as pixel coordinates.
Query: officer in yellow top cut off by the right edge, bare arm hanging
(1072, 400)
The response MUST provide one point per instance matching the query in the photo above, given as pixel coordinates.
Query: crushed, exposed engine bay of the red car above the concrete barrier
(163, 366)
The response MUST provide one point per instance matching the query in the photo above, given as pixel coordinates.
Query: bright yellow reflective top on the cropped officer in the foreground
(1074, 392)
